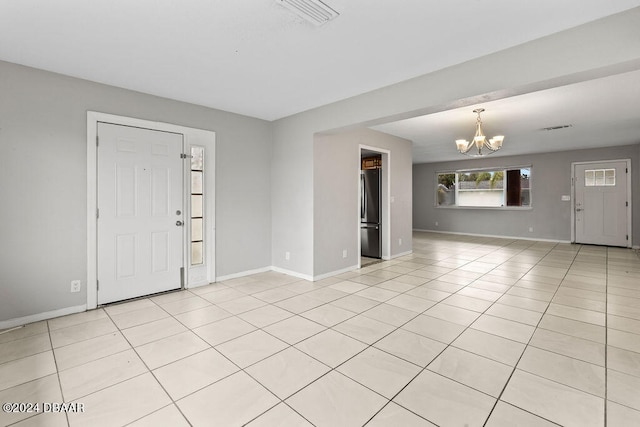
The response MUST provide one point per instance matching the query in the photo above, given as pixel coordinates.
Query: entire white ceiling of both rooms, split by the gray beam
(256, 58)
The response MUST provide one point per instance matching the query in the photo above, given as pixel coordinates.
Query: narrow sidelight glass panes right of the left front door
(197, 205)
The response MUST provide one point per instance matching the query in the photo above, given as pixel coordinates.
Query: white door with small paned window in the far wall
(601, 204)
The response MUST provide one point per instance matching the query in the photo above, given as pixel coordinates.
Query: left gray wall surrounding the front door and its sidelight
(43, 175)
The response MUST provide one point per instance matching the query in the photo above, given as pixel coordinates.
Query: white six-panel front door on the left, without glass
(140, 212)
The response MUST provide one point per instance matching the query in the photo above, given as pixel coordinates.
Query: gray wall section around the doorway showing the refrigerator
(336, 192)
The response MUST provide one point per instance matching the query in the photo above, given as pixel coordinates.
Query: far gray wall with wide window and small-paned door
(549, 216)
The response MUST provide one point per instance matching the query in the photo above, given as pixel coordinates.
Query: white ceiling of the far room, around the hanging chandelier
(602, 112)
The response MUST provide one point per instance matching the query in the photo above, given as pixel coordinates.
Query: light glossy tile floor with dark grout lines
(466, 331)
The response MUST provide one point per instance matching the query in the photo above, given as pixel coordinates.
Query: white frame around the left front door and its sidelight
(196, 276)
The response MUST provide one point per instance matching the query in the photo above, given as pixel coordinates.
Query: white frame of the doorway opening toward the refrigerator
(385, 220)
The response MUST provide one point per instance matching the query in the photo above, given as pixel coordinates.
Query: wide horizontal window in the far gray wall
(485, 188)
